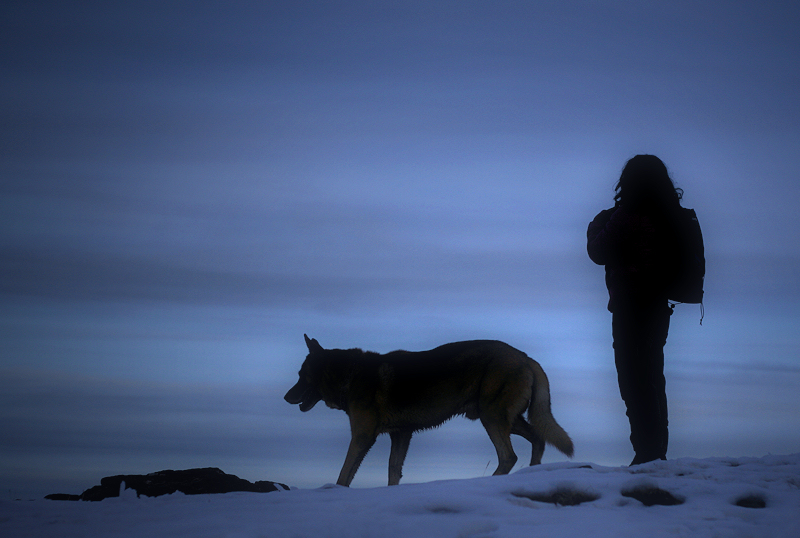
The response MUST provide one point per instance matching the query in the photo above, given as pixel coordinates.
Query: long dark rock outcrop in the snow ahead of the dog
(189, 482)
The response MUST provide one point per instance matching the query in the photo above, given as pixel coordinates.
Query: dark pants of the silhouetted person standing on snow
(640, 333)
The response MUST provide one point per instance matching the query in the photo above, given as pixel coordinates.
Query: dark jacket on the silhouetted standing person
(636, 248)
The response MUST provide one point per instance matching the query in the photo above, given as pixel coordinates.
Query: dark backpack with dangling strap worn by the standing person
(690, 262)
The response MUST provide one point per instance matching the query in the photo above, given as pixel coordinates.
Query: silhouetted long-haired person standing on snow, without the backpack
(636, 242)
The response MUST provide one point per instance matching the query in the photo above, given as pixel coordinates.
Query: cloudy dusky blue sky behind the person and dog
(186, 188)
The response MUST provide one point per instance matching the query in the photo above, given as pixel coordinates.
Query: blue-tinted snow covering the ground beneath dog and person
(708, 490)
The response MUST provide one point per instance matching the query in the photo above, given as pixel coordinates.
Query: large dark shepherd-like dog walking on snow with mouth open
(403, 392)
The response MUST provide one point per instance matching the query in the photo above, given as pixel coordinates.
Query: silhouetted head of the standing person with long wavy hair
(645, 181)
